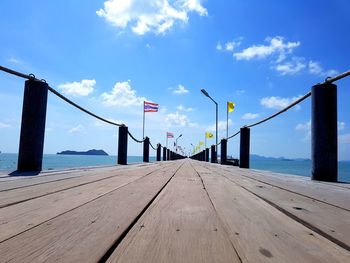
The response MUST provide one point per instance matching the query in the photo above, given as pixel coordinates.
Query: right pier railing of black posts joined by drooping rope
(324, 133)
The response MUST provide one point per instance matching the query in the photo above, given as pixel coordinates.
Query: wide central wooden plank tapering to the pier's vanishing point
(180, 226)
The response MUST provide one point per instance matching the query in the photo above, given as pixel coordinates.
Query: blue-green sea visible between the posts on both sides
(8, 163)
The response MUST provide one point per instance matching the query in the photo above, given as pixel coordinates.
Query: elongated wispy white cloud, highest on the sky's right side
(276, 46)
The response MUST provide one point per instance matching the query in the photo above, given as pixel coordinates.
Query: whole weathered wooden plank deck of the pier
(180, 211)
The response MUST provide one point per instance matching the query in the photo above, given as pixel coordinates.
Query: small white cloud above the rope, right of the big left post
(83, 88)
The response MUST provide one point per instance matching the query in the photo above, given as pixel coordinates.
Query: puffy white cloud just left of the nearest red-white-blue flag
(122, 95)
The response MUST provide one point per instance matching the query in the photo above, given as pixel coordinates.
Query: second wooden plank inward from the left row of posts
(17, 195)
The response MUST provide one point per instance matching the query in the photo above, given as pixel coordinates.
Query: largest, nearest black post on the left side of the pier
(31, 145)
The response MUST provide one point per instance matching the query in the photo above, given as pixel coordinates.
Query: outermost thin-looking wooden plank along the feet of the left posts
(13, 182)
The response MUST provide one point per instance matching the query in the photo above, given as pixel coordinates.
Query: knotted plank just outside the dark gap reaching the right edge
(327, 220)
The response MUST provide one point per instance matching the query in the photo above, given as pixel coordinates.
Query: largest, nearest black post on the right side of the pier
(324, 144)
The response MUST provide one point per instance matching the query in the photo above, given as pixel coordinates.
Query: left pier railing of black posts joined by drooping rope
(31, 146)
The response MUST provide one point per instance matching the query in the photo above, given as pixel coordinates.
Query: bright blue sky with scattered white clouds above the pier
(110, 56)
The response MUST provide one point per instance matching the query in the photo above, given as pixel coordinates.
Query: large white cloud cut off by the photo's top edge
(143, 16)
